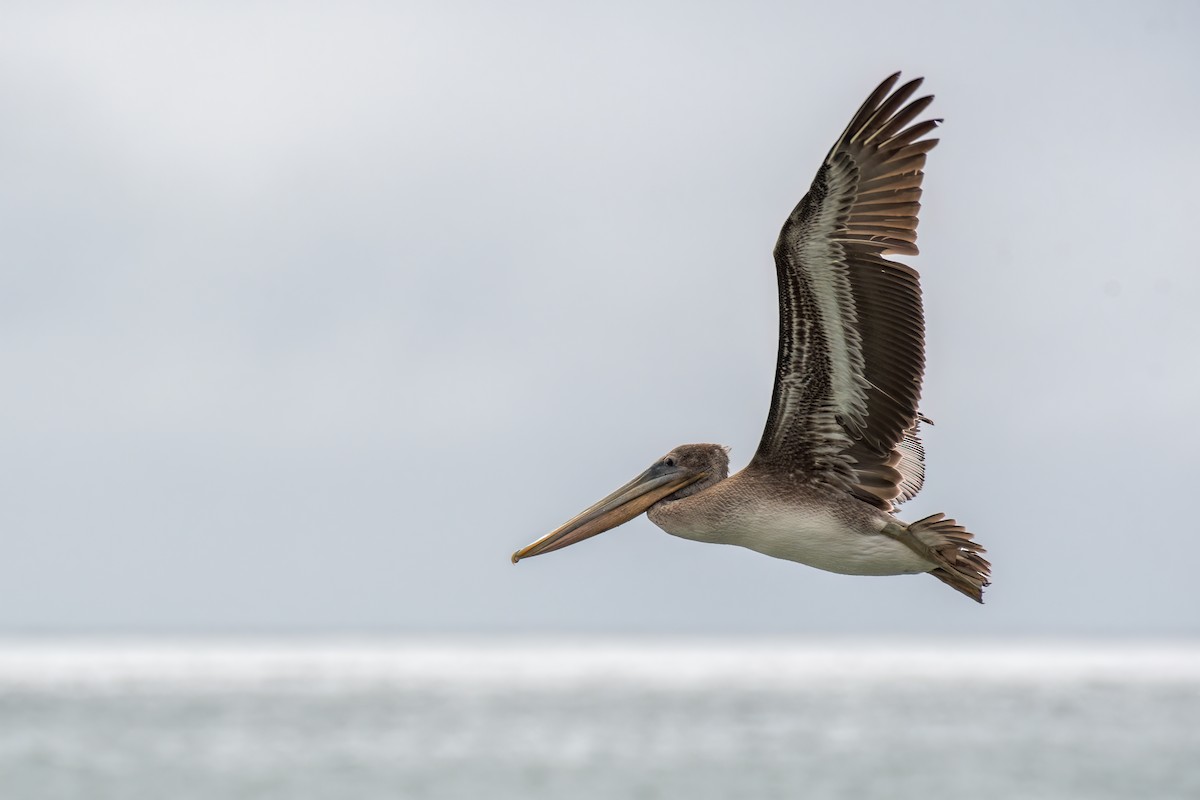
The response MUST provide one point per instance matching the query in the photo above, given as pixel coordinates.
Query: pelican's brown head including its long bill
(683, 472)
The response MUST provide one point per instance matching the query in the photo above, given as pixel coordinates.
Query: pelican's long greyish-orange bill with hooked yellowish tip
(619, 508)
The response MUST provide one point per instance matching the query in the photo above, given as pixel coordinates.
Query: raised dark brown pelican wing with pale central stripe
(851, 332)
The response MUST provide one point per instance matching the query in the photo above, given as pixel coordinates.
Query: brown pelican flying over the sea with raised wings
(842, 446)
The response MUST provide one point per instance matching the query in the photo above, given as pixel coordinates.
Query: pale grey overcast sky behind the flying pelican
(313, 314)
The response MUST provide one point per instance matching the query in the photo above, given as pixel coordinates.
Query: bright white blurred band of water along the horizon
(532, 665)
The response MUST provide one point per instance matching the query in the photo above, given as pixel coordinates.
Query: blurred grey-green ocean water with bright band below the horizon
(597, 719)
